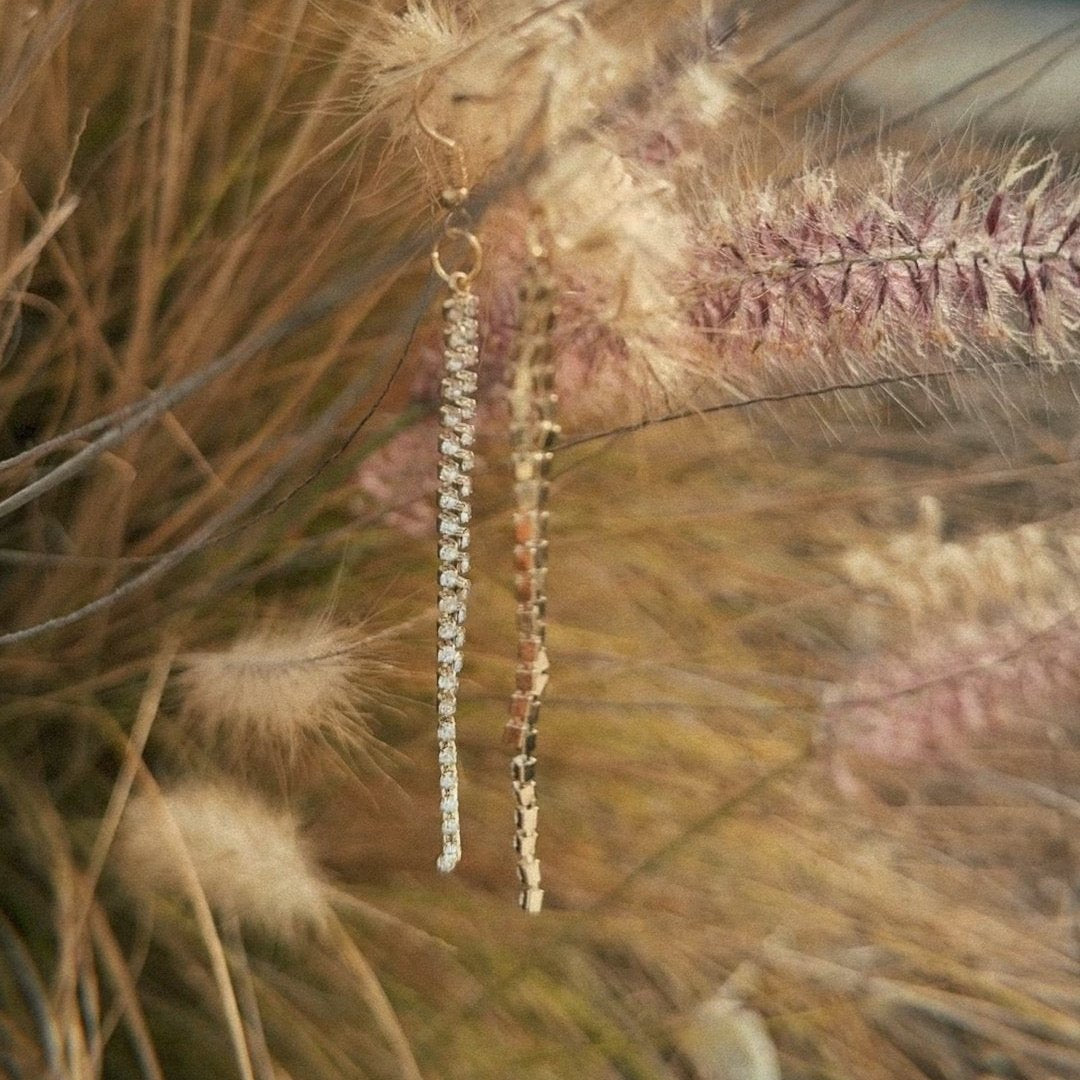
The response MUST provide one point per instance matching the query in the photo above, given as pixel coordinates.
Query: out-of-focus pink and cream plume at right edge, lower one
(957, 645)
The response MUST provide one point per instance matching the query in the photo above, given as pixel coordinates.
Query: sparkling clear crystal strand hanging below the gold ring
(457, 411)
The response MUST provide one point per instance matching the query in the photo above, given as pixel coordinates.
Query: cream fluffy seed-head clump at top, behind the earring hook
(600, 98)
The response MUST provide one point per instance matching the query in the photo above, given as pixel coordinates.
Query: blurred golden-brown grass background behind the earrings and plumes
(180, 177)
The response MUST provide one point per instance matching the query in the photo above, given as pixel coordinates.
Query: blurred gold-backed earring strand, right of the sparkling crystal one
(533, 433)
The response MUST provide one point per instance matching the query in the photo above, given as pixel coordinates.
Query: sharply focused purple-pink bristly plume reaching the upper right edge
(823, 283)
